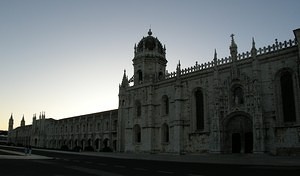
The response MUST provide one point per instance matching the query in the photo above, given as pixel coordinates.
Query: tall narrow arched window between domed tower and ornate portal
(199, 109)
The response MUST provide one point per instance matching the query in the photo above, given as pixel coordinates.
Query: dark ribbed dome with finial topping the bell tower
(149, 45)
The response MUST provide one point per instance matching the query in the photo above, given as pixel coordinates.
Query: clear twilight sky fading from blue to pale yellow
(67, 57)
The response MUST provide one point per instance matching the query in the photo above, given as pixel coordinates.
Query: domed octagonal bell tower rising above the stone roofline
(149, 60)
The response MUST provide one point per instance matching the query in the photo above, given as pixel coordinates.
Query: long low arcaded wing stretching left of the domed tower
(96, 132)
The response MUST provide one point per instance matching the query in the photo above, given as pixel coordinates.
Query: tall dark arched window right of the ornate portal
(287, 97)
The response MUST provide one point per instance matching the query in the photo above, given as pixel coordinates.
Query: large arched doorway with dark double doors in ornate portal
(237, 133)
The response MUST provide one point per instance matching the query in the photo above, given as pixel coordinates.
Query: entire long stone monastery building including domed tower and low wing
(245, 103)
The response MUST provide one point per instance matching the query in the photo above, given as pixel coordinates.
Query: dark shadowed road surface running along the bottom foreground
(63, 164)
